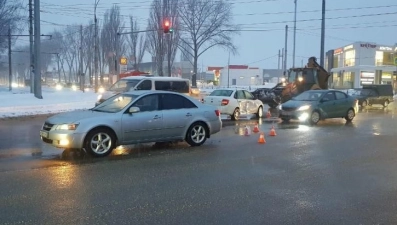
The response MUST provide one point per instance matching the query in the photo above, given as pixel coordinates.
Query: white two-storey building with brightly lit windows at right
(361, 63)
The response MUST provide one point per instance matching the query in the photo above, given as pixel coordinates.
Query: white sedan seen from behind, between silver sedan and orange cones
(235, 102)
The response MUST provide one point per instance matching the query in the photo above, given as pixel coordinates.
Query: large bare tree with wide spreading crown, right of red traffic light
(206, 24)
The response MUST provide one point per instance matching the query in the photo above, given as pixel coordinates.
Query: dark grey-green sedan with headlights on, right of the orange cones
(316, 105)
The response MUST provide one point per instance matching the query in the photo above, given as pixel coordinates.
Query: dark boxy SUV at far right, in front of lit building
(369, 95)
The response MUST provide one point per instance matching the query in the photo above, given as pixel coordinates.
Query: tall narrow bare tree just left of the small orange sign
(112, 24)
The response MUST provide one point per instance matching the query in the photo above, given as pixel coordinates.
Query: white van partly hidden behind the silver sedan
(125, 84)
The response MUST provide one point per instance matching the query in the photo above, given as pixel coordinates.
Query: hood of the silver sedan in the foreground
(74, 116)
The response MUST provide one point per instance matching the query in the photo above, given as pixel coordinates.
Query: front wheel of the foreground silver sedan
(100, 142)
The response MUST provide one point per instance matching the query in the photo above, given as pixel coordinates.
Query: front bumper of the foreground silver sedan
(63, 139)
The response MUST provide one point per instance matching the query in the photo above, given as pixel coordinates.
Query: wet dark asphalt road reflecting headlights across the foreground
(332, 173)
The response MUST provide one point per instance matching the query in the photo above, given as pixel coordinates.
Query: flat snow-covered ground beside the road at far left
(20, 102)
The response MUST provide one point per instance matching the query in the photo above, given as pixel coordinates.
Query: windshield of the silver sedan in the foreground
(115, 103)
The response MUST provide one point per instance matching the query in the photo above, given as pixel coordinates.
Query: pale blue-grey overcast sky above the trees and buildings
(347, 21)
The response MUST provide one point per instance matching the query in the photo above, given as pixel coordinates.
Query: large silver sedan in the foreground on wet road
(133, 117)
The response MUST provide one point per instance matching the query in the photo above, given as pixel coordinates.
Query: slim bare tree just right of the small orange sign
(137, 44)
